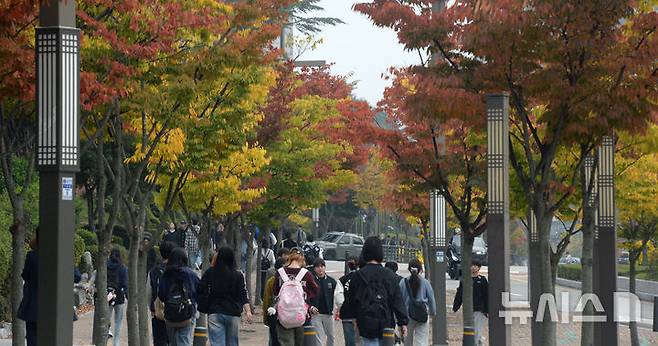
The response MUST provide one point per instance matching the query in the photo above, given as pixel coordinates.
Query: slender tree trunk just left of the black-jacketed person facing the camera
(467, 284)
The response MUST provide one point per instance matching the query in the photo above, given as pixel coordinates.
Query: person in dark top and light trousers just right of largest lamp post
(117, 289)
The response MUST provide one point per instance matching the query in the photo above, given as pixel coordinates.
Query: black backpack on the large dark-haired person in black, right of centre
(373, 310)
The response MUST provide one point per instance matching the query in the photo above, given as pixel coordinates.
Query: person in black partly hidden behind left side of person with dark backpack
(158, 325)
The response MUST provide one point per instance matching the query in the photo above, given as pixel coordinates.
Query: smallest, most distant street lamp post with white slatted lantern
(436, 258)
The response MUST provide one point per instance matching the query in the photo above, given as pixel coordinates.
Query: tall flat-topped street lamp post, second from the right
(498, 213)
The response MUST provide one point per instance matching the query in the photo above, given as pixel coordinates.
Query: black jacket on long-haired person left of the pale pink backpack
(225, 291)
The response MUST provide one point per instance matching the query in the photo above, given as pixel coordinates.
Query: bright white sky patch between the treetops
(359, 49)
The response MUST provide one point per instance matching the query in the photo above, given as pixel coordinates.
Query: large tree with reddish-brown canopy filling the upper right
(592, 75)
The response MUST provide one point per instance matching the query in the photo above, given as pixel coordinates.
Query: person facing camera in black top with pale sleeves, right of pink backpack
(326, 304)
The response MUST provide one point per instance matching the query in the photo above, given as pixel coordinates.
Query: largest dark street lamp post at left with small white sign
(57, 92)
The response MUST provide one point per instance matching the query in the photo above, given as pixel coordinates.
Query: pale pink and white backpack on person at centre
(291, 307)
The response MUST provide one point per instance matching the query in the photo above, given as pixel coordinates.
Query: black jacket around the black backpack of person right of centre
(375, 272)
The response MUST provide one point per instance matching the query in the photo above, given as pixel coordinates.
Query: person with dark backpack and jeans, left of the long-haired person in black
(177, 292)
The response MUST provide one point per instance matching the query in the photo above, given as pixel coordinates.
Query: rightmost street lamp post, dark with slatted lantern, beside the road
(605, 247)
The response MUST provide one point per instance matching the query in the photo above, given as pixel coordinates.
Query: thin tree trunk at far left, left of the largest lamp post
(18, 261)
